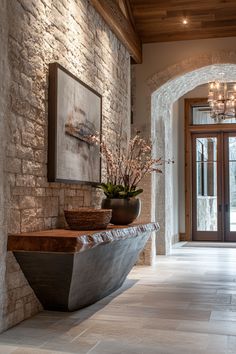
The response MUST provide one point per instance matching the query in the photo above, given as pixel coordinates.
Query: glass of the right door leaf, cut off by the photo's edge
(232, 182)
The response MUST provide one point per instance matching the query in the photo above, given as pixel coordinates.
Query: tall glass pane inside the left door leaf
(206, 180)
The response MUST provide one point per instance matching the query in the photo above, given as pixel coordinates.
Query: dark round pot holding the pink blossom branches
(124, 211)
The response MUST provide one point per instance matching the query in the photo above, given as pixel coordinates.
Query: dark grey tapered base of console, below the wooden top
(69, 281)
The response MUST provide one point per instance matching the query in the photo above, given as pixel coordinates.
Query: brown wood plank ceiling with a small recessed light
(161, 20)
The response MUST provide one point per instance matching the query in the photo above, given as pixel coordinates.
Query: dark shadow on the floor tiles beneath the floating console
(48, 325)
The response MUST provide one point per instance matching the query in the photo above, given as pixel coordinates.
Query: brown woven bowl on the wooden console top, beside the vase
(88, 218)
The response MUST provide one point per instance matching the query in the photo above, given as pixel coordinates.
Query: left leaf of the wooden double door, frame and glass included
(206, 225)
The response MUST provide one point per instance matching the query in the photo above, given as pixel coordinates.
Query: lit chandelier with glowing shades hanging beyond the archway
(222, 100)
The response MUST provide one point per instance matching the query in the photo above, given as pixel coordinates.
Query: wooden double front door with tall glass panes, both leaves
(214, 186)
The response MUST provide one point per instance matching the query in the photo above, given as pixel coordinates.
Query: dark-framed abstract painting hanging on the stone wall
(75, 112)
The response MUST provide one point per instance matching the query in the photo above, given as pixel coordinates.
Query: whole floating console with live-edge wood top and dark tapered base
(69, 270)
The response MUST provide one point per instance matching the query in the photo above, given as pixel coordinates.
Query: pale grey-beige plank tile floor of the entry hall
(186, 303)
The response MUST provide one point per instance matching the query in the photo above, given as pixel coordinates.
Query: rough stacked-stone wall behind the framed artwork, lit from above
(43, 31)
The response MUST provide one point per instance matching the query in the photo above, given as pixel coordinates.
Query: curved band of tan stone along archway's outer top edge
(188, 65)
